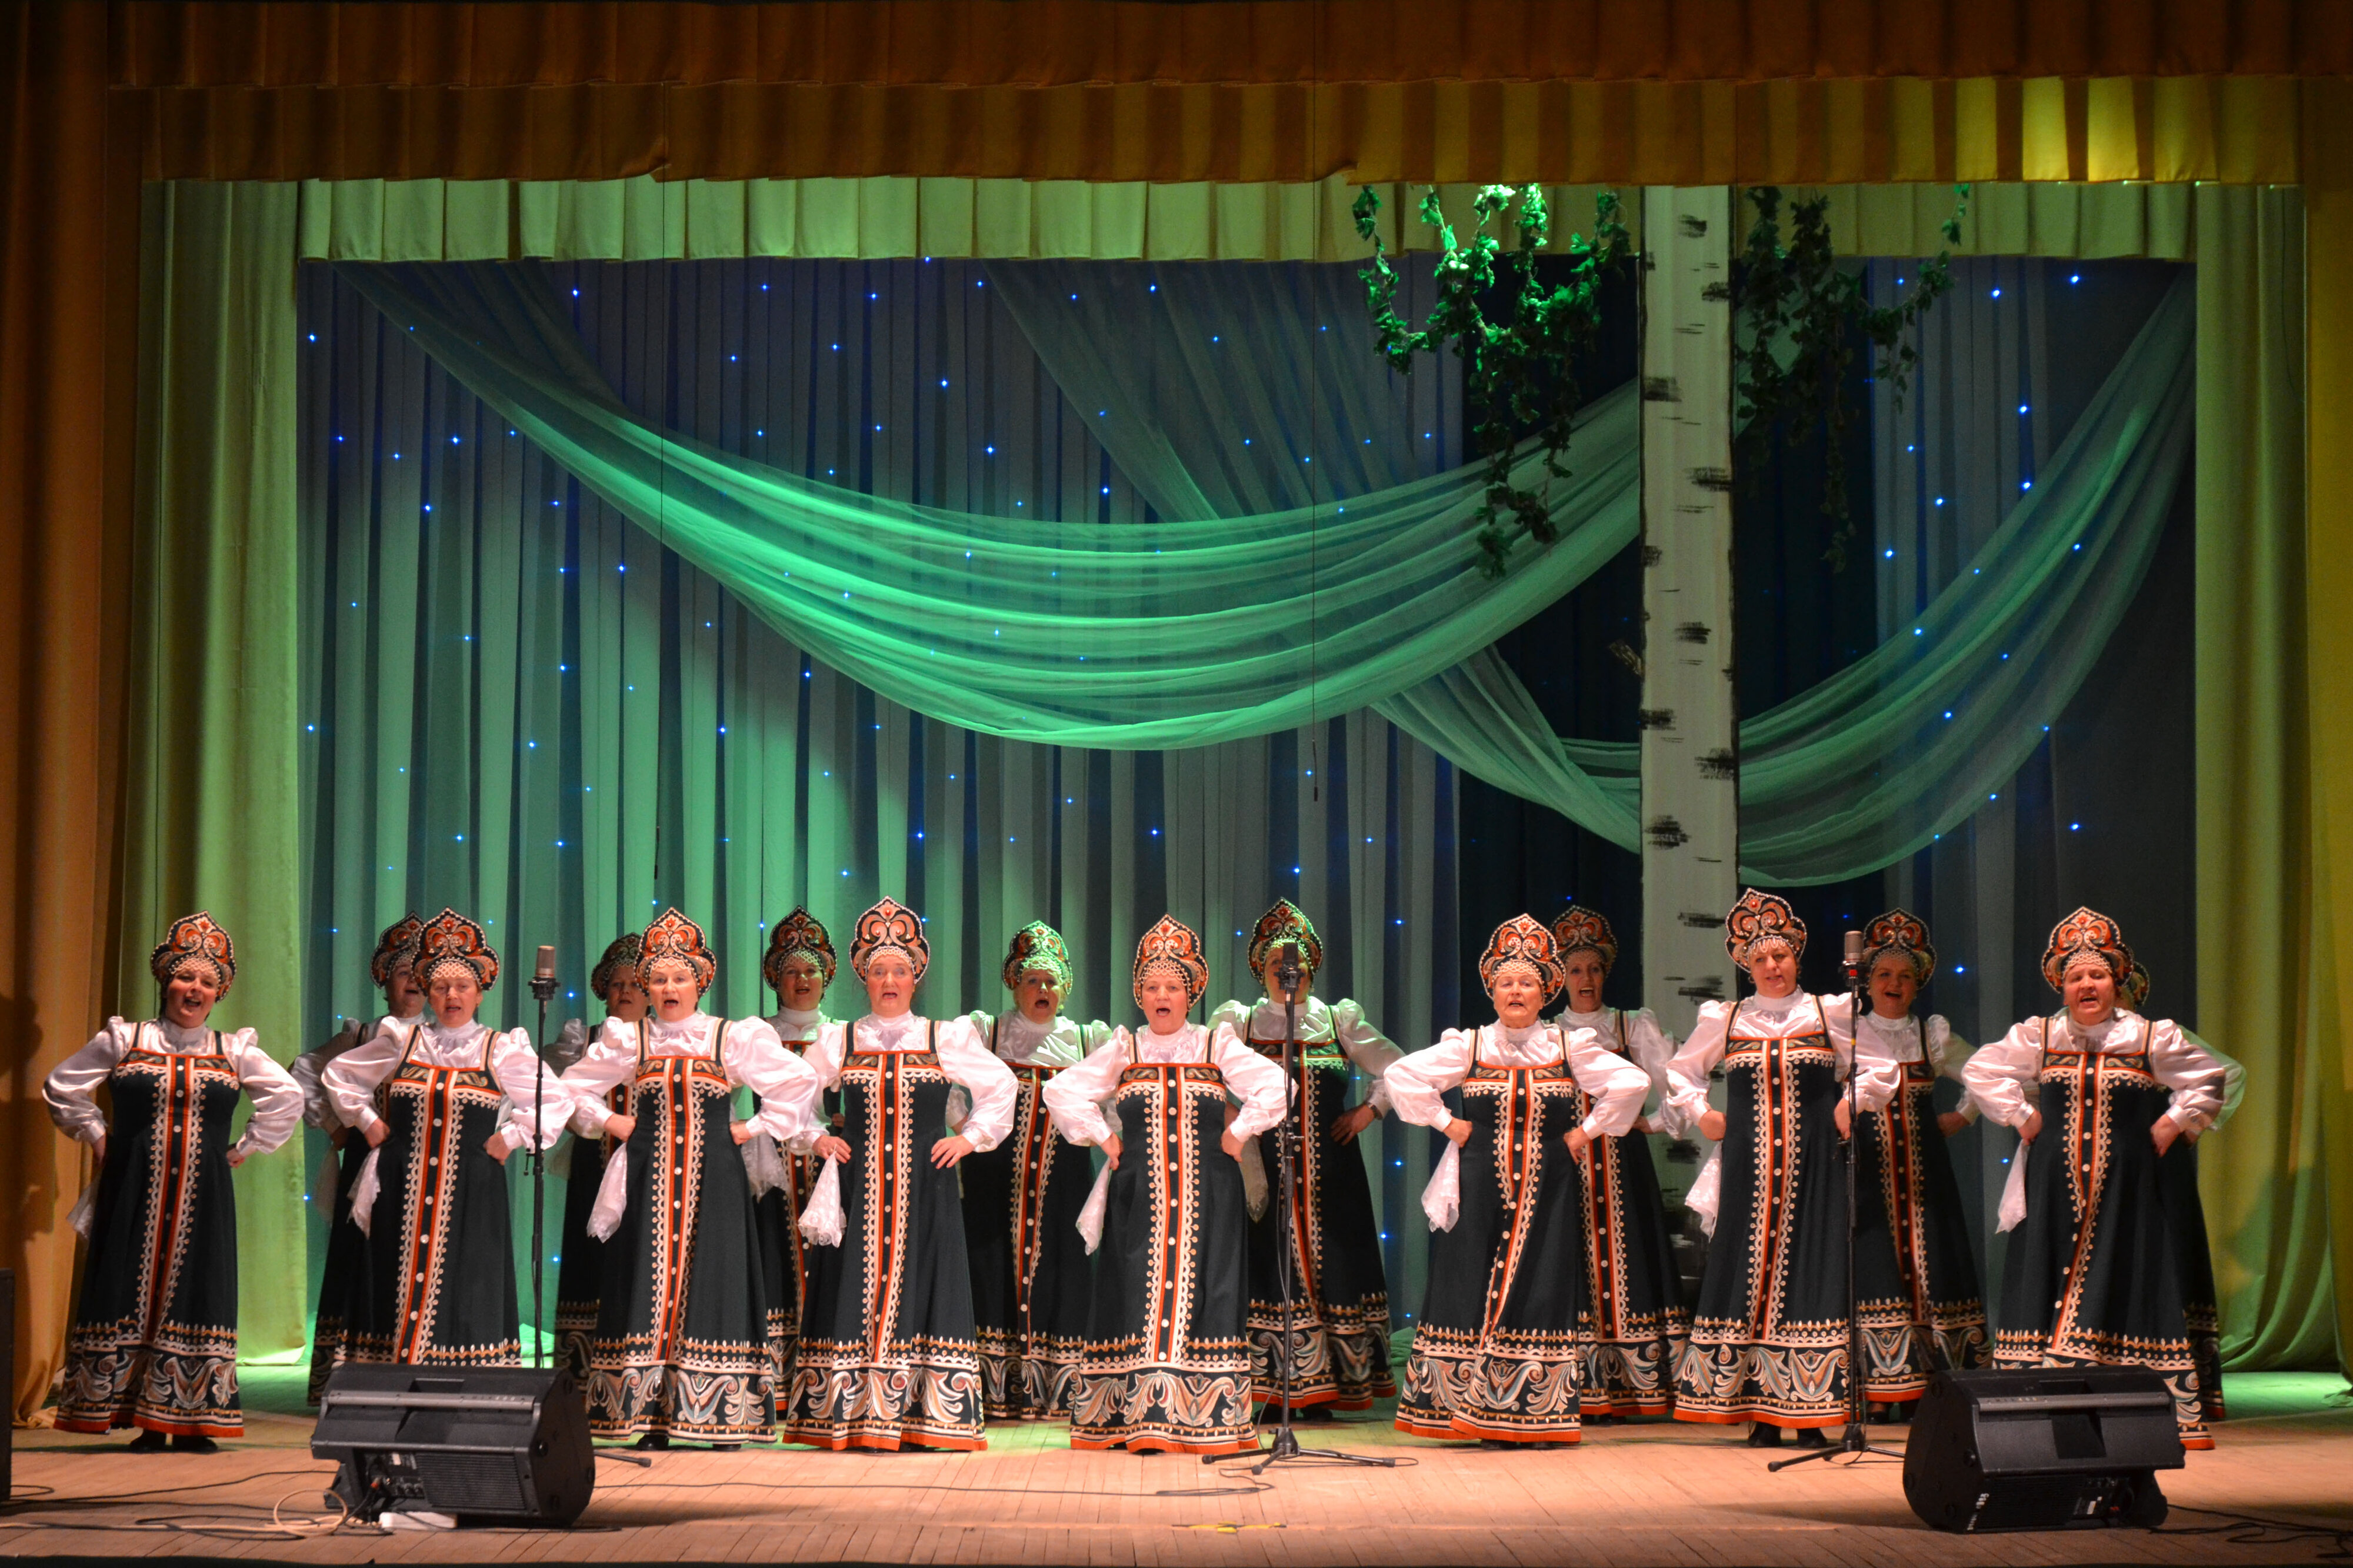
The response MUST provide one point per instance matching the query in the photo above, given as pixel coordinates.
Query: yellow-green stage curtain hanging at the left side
(215, 658)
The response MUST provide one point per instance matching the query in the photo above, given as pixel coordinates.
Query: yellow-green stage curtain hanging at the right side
(2262, 1176)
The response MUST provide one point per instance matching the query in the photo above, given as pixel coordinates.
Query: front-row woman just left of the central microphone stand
(1168, 1355)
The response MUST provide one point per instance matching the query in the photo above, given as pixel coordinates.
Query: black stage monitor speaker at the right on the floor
(2044, 1449)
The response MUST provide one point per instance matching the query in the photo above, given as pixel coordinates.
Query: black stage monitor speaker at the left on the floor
(484, 1444)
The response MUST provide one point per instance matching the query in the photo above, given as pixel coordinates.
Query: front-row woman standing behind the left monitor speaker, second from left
(441, 1105)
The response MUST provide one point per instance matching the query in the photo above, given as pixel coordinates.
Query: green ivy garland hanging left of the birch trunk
(1517, 371)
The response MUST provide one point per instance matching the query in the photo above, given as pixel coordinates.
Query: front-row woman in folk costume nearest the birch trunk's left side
(1502, 1336)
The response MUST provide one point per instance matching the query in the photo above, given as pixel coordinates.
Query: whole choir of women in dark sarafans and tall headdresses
(891, 1233)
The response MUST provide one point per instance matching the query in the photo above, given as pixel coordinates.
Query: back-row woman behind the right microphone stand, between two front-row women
(1917, 1277)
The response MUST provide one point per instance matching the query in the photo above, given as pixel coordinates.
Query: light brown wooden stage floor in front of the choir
(1644, 1494)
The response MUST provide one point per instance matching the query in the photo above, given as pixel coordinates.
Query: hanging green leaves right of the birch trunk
(1797, 312)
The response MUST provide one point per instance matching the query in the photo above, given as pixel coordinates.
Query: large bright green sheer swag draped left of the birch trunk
(1048, 632)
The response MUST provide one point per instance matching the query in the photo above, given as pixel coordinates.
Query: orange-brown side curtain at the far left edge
(67, 354)
